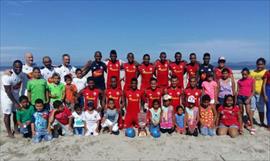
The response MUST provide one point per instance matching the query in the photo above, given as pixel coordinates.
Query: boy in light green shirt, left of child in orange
(56, 89)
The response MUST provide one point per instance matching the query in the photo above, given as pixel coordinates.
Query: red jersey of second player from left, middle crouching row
(115, 94)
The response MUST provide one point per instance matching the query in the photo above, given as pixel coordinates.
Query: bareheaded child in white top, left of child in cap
(78, 117)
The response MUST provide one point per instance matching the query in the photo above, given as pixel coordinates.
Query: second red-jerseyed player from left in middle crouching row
(117, 95)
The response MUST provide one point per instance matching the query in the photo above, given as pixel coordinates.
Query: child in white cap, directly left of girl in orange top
(191, 117)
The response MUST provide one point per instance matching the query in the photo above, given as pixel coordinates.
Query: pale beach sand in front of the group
(167, 147)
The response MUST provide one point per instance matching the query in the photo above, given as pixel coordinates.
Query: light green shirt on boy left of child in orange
(56, 90)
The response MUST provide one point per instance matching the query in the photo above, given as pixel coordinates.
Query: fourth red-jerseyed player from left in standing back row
(162, 71)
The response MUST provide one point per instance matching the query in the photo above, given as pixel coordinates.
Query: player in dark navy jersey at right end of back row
(204, 69)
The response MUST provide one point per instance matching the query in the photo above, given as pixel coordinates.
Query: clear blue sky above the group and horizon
(238, 30)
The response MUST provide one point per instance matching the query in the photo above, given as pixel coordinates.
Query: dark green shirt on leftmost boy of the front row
(25, 114)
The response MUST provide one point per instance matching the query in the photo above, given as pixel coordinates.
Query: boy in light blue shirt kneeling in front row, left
(39, 124)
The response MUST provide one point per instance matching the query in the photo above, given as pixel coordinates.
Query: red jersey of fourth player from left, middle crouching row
(151, 95)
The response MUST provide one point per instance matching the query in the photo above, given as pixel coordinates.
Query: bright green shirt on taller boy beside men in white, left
(37, 88)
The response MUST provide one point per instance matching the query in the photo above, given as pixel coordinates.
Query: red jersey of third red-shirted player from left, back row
(146, 74)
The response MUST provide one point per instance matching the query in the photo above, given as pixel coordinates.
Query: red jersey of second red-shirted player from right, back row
(179, 71)
